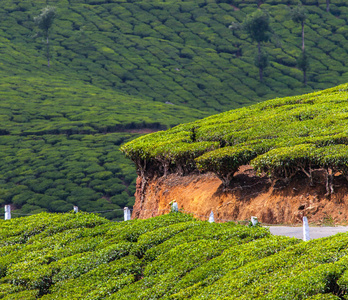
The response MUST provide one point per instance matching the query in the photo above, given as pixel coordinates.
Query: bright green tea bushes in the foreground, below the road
(83, 256)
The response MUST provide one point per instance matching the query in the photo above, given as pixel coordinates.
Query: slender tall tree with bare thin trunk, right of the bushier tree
(299, 15)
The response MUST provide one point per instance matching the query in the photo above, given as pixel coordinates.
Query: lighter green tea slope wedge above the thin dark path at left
(61, 107)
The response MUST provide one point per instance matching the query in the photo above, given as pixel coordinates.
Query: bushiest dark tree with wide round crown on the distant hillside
(257, 25)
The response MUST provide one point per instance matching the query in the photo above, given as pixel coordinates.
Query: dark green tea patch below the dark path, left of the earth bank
(54, 173)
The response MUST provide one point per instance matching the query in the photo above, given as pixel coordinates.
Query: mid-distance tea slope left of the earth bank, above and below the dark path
(59, 144)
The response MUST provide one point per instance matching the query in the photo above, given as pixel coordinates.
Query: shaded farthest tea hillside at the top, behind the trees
(178, 51)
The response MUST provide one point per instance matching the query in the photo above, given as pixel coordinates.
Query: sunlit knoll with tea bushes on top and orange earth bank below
(300, 139)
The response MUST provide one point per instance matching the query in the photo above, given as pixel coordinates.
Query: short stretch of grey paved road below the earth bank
(314, 232)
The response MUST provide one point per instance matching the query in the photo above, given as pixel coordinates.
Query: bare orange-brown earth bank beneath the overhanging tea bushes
(250, 195)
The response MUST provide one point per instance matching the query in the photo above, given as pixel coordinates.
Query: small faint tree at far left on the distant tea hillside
(45, 21)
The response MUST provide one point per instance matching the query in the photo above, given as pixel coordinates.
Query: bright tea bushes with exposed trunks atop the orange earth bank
(282, 137)
